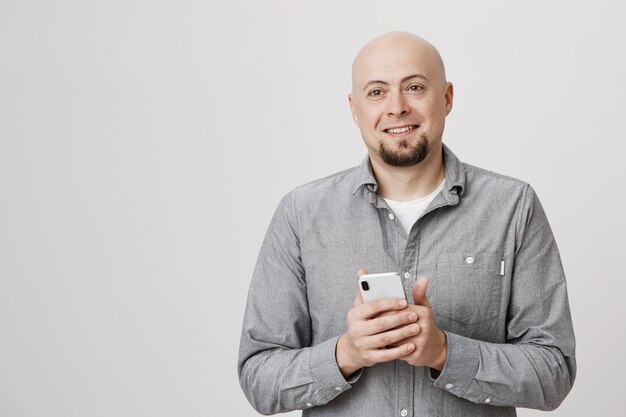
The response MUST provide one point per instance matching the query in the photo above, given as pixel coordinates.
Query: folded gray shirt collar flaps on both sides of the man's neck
(455, 175)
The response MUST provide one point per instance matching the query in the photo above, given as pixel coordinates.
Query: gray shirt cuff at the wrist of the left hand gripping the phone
(328, 380)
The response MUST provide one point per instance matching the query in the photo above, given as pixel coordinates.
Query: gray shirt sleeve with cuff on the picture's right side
(536, 367)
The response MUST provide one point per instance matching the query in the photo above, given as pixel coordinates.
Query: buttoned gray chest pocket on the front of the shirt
(468, 286)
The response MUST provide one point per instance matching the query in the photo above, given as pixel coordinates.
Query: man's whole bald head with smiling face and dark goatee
(400, 98)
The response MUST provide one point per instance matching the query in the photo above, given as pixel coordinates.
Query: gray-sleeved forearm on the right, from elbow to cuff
(519, 375)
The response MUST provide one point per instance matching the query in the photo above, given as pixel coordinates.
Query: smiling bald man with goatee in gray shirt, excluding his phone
(485, 326)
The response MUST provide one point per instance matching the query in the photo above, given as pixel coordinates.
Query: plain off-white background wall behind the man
(144, 146)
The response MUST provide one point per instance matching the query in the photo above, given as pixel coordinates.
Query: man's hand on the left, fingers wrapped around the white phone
(368, 334)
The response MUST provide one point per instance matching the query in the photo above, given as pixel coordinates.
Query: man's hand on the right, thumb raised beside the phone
(431, 348)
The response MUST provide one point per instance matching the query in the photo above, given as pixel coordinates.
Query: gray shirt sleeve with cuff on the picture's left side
(278, 368)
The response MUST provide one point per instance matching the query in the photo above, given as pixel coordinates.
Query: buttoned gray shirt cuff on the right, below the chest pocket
(461, 365)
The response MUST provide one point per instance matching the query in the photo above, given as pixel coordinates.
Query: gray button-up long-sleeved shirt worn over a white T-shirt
(496, 286)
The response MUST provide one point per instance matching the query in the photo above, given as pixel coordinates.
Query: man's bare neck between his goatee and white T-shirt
(409, 183)
